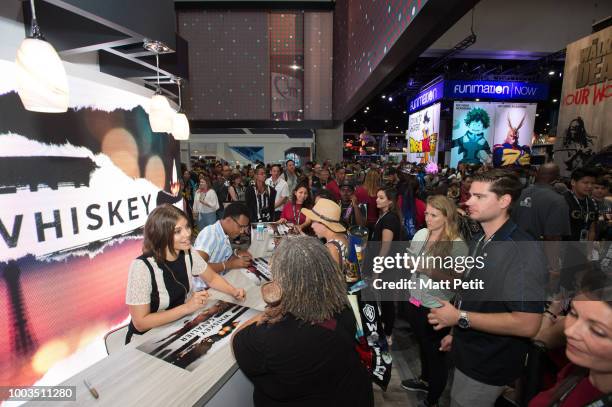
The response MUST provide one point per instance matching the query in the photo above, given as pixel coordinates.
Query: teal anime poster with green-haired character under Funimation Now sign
(472, 133)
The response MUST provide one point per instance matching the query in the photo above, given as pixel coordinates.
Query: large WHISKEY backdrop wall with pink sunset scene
(75, 191)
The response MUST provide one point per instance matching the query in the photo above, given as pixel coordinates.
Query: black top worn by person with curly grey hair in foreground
(293, 363)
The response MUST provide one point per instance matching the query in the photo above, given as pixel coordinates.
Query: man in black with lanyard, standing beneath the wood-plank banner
(583, 215)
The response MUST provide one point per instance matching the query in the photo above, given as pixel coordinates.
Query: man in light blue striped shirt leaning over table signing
(214, 241)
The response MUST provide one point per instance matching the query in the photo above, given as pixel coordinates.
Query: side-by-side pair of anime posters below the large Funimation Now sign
(497, 133)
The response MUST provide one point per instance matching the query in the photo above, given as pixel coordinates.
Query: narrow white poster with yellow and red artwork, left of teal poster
(423, 131)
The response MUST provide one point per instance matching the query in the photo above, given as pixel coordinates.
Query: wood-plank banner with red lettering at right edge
(586, 101)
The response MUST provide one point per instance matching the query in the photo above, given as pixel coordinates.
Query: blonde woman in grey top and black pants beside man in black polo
(439, 244)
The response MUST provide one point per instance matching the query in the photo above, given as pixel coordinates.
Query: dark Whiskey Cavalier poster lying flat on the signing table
(190, 345)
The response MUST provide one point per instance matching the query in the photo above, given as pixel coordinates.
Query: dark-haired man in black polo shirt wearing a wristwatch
(493, 323)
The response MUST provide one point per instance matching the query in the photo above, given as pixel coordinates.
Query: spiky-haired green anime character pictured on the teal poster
(473, 146)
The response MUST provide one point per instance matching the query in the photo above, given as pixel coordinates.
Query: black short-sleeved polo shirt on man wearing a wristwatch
(514, 276)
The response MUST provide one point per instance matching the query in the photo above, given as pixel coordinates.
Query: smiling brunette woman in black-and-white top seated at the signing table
(159, 288)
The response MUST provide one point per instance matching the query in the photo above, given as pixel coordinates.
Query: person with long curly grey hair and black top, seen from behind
(301, 350)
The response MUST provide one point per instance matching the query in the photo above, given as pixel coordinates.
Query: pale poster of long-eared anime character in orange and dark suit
(513, 134)
